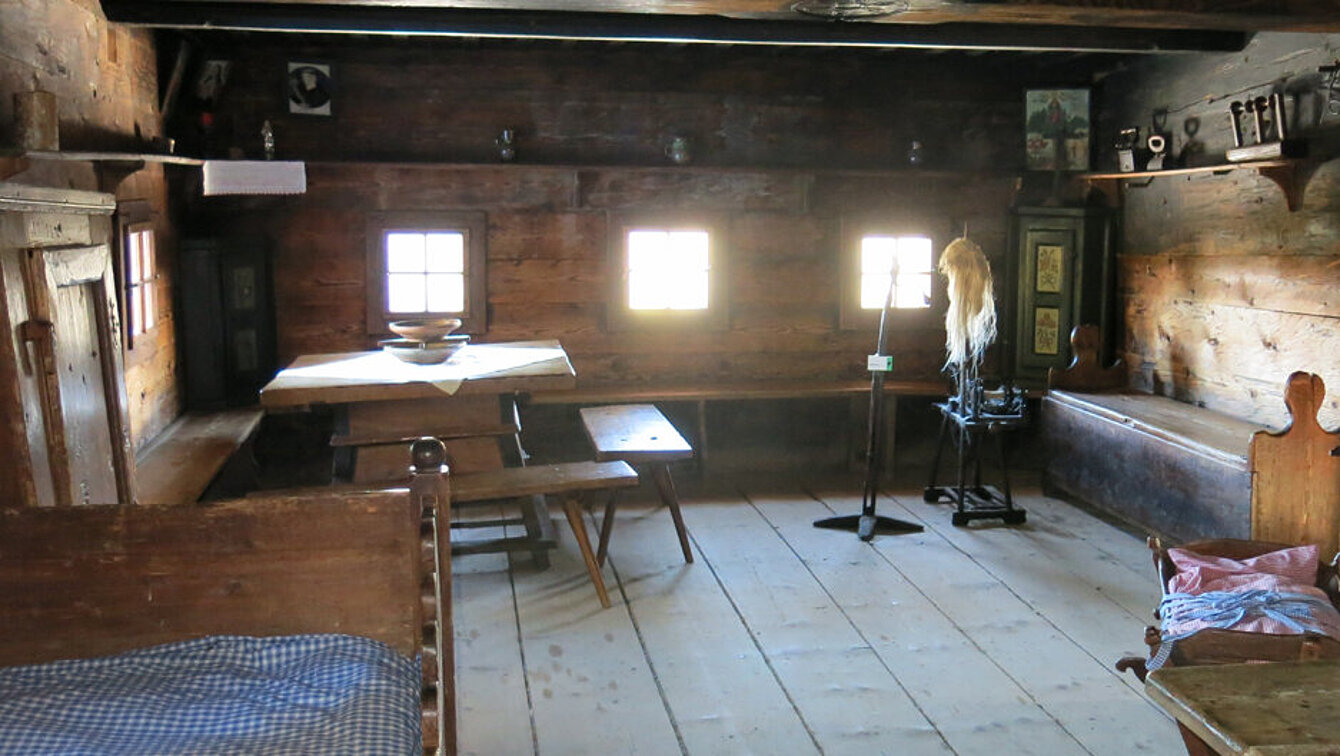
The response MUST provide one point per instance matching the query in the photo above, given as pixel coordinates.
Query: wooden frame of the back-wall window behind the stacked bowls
(474, 225)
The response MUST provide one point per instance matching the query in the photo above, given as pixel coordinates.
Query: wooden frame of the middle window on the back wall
(620, 317)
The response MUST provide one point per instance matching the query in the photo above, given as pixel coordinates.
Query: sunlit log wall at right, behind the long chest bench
(1227, 292)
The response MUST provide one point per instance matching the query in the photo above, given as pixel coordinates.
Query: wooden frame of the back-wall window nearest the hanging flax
(852, 316)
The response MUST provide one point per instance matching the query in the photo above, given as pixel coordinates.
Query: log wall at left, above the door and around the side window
(107, 82)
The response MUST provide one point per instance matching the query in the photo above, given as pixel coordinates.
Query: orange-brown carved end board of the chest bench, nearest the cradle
(1296, 474)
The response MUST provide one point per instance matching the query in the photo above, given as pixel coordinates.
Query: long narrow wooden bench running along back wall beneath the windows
(700, 395)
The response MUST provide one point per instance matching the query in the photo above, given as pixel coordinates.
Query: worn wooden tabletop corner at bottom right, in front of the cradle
(1255, 710)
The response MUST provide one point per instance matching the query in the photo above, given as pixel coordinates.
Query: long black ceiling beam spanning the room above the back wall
(417, 19)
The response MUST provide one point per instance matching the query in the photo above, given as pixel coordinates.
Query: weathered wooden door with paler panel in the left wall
(73, 325)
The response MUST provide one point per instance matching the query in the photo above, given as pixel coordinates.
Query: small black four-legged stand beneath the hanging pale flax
(975, 501)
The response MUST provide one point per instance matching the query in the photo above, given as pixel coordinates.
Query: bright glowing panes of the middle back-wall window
(668, 269)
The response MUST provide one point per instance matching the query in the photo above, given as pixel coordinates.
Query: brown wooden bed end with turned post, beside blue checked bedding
(82, 582)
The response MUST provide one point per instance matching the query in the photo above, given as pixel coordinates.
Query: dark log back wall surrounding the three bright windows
(787, 147)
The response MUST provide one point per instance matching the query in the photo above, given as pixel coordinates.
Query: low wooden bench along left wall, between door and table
(199, 454)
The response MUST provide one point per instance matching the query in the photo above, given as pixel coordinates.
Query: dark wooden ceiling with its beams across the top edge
(1109, 26)
